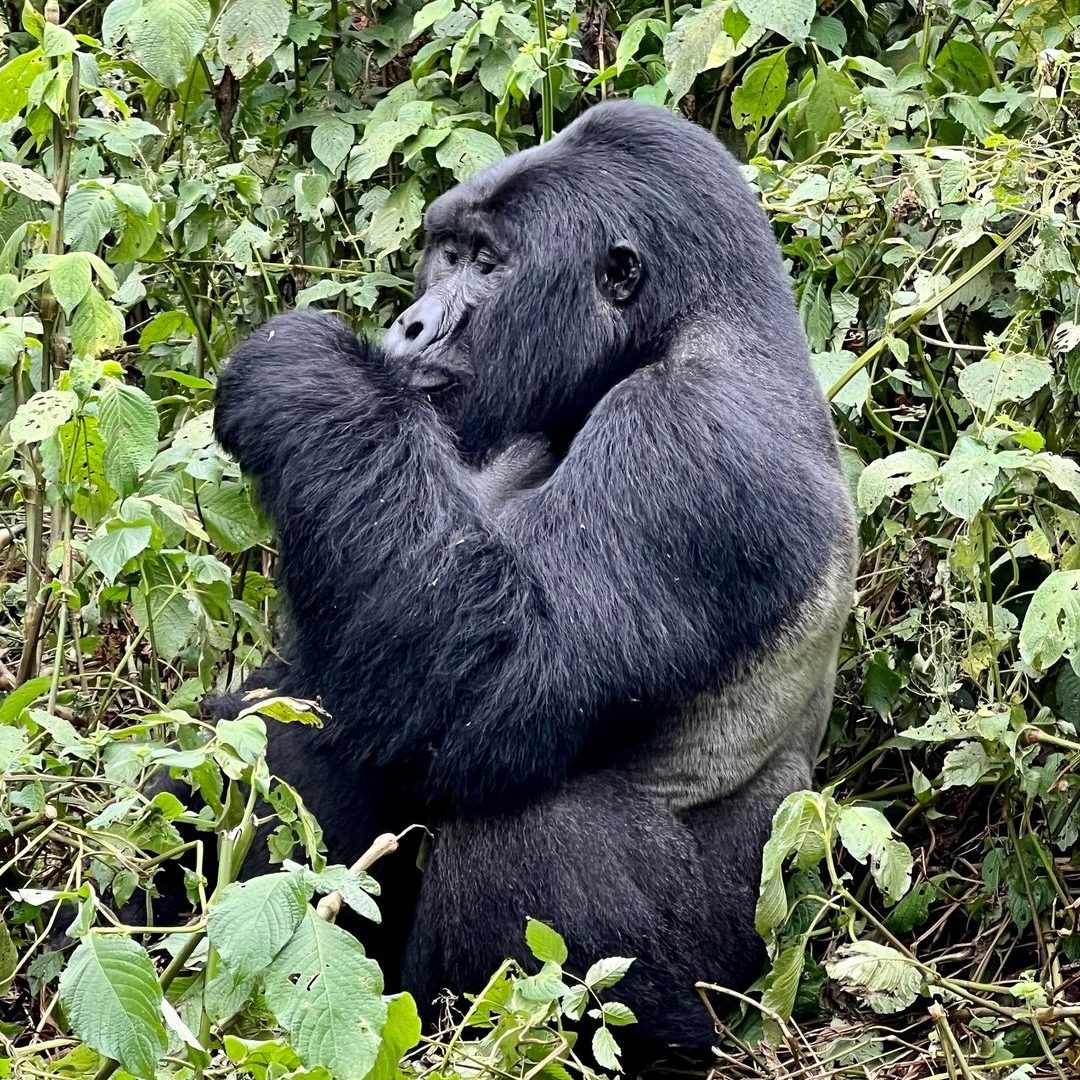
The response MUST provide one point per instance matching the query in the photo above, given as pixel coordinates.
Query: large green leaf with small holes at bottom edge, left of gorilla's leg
(328, 996)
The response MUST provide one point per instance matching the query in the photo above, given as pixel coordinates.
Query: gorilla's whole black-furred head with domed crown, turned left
(551, 276)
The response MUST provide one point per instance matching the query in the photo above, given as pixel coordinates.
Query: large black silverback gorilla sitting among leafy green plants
(568, 561)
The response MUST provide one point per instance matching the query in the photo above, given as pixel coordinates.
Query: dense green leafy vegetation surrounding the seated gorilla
(174, 171)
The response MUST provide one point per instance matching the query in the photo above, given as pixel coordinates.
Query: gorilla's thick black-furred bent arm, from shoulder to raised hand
(505, 642)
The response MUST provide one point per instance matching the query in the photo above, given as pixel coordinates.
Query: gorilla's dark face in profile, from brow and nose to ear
(509, 328)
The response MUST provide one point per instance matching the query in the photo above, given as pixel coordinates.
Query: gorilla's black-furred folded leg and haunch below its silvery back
(616, 873)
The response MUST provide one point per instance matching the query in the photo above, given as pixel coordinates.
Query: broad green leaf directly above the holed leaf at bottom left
(254, 921)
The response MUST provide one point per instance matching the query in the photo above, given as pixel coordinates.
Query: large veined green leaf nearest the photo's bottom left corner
(111, 994)
